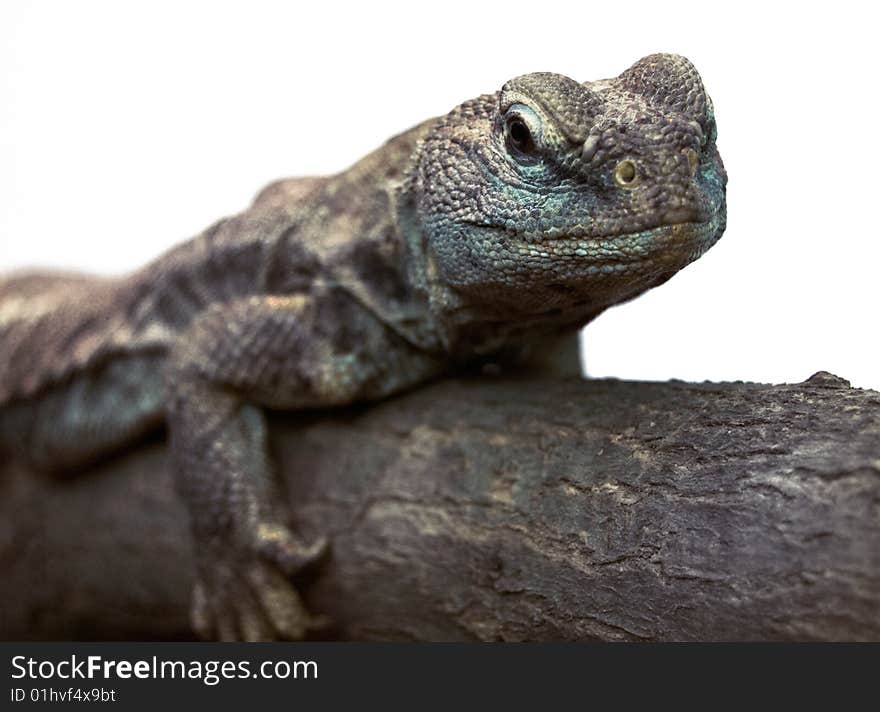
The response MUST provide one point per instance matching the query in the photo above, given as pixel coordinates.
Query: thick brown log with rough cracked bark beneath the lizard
(504, 510)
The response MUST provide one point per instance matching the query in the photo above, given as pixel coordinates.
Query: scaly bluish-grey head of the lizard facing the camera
(553, 194)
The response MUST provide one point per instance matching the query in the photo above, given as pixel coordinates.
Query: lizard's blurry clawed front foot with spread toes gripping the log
(253, 598)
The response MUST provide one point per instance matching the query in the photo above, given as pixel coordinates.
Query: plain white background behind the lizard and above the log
(128, 126)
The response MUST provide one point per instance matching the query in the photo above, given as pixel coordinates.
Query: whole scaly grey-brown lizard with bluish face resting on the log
(489, 235)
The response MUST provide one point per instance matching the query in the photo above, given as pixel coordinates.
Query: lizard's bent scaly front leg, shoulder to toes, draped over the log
(284, 352)
